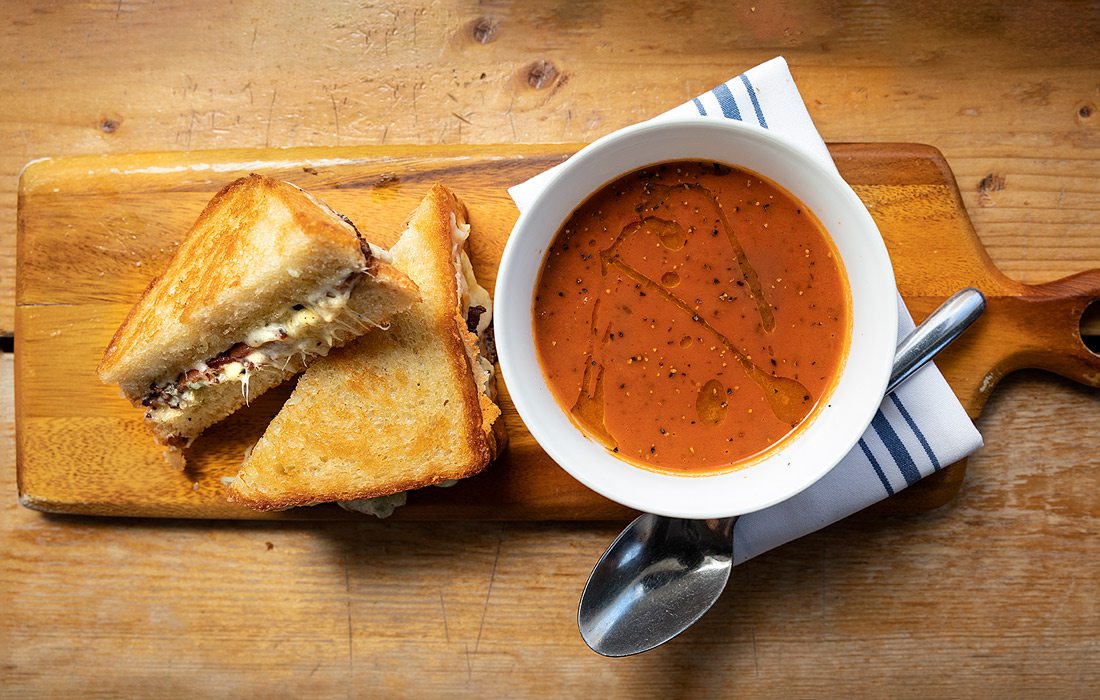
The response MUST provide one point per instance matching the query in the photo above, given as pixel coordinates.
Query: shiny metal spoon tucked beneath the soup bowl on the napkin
(663, 574)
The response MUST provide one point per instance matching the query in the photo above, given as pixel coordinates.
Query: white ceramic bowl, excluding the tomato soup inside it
(804, 458)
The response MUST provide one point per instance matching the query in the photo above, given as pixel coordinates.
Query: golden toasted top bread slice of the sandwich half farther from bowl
(233, 257)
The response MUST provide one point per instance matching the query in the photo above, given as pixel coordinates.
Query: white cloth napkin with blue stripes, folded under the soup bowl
(920, 429)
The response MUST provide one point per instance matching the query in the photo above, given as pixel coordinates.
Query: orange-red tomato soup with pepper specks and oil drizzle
(691, 315)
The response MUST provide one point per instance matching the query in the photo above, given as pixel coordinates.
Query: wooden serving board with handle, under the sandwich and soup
(93, 232)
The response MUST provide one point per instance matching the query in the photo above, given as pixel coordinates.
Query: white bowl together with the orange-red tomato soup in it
(696, 319)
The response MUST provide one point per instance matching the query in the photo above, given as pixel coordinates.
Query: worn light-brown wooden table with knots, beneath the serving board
(995, 595)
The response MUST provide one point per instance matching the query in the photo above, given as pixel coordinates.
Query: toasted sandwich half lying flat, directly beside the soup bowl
(393, 411)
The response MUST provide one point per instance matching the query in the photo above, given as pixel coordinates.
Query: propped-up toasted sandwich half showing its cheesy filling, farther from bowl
(268, 279)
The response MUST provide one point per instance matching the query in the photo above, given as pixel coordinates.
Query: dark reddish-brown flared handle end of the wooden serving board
(1052, 314)
